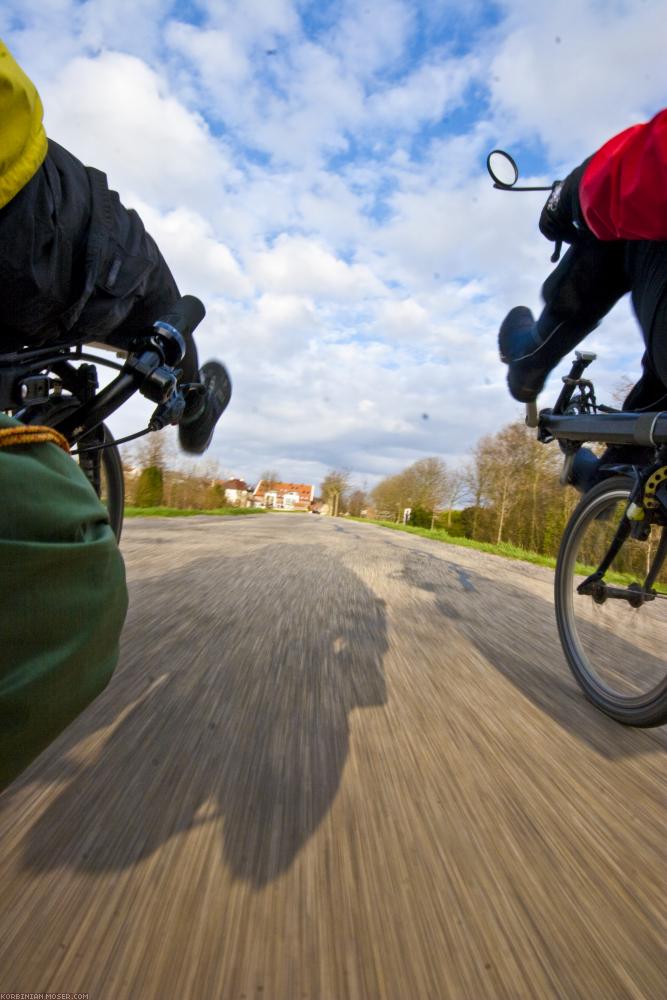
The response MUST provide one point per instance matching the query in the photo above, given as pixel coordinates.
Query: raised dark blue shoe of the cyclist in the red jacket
(518, 343)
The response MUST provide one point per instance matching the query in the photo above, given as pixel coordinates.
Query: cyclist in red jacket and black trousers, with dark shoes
(612, 209)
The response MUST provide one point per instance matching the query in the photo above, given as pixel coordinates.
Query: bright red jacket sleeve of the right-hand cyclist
(623, 192)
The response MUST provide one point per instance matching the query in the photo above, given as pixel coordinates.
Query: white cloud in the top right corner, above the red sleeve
(578, 71)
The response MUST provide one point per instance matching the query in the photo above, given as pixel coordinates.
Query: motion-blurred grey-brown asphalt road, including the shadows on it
(336, 762)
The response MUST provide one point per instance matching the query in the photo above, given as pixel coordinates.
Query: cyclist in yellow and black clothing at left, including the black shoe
(74, 262)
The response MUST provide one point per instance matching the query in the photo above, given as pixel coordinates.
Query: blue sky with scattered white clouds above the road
(315, 172)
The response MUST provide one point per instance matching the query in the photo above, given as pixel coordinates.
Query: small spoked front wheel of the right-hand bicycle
(613, 639)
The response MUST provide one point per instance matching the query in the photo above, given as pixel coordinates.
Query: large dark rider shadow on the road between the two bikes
(244, 715)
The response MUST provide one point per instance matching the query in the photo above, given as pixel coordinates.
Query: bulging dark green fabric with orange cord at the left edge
(63, 598)
